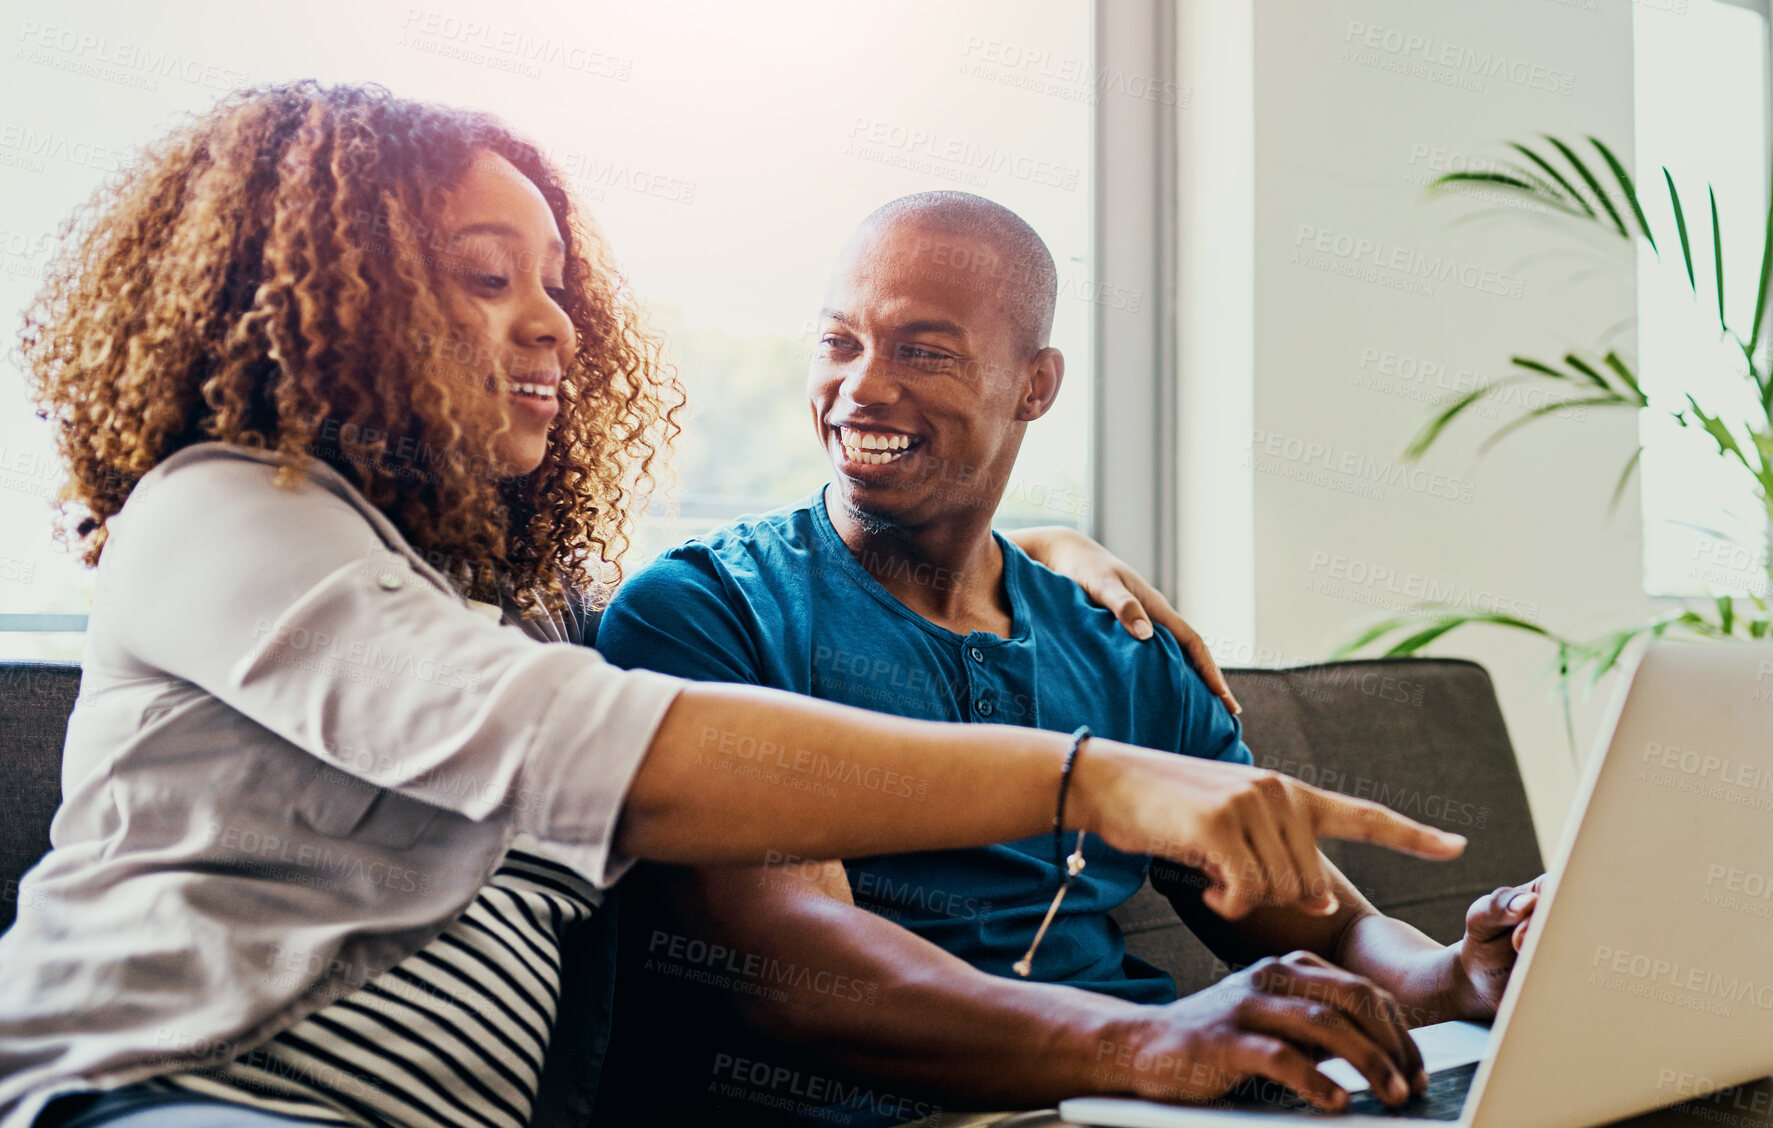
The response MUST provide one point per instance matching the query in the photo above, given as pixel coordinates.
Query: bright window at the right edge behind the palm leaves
(1703, 113)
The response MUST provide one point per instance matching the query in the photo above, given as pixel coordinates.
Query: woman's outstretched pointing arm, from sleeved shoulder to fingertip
(286, 607)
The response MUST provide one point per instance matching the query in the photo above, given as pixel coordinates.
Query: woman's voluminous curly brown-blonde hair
(267, 276)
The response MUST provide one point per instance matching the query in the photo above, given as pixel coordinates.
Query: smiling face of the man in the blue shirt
(921, 384)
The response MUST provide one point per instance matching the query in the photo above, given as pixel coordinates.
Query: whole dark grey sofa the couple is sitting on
(1419, 735)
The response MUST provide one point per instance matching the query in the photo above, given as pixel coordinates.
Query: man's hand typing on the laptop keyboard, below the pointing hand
(1276, 1021)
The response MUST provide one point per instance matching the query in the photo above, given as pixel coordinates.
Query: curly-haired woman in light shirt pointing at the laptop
(355, 407)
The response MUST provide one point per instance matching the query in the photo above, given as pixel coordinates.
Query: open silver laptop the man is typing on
(1648, 973)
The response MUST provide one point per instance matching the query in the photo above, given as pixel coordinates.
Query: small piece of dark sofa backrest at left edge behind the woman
(35, 705)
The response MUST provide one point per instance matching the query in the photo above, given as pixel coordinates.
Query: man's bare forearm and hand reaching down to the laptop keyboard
(884, 1003)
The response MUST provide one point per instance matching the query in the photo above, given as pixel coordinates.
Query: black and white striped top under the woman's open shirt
(451, 1038)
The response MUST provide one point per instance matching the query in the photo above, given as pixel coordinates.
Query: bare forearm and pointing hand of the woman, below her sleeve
(742, 774)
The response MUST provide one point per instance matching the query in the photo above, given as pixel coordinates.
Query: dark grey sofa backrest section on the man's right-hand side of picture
(1421, 735)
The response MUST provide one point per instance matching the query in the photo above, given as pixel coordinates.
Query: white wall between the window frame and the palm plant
(1309, 359)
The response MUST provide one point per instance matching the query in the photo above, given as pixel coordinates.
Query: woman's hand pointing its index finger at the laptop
(1253, 833)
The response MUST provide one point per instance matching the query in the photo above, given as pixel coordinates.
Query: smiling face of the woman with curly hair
(503, 285)
